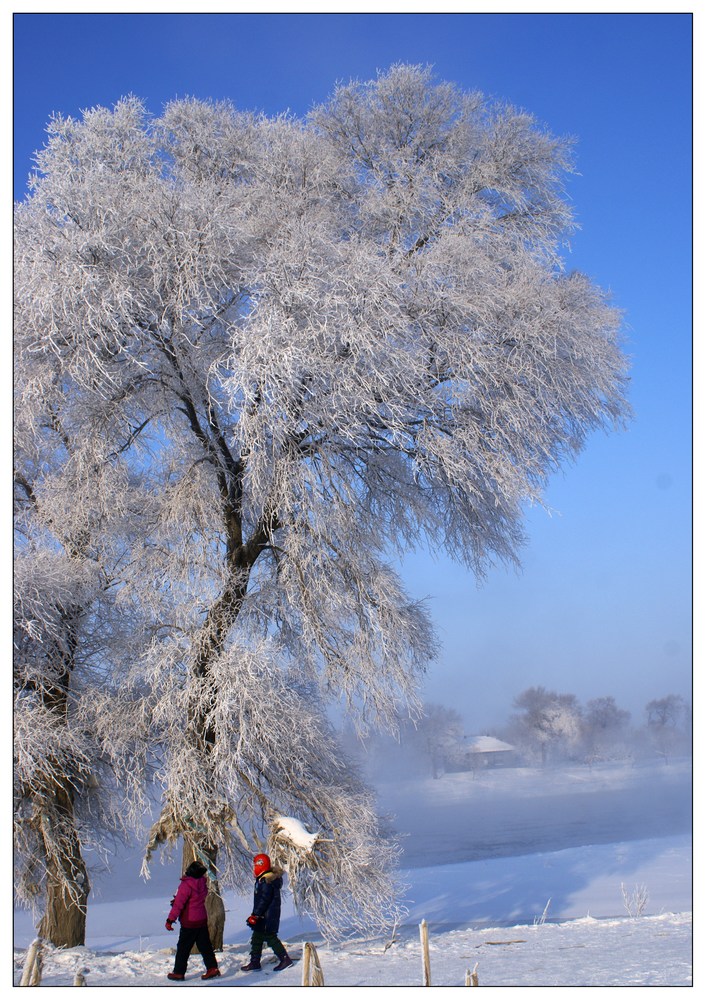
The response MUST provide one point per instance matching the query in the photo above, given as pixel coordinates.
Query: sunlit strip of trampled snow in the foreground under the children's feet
(648, 951)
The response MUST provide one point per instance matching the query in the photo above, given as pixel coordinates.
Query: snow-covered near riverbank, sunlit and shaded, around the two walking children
(127, 946)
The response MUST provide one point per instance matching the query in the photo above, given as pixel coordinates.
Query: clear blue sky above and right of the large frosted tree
(603, 603)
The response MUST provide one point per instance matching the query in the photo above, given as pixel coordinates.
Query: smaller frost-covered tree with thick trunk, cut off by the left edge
(78, 775)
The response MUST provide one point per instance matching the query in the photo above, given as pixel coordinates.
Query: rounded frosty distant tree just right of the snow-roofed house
(548, 724)
